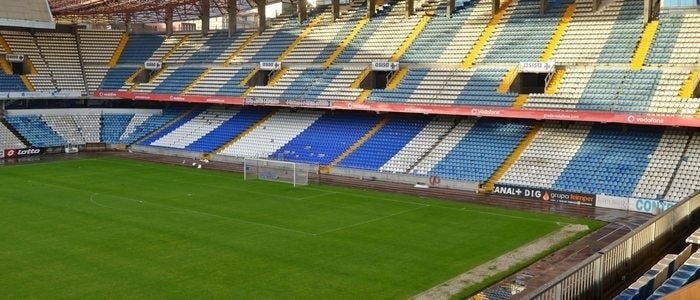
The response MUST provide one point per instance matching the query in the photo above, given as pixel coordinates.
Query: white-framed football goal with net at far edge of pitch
(274, 170)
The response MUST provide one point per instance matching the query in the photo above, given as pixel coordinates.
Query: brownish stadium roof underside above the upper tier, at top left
(142, 11)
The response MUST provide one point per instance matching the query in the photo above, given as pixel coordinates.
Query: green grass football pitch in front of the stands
(115, 228)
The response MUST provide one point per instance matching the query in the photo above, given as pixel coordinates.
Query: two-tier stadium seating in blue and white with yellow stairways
(598, 101)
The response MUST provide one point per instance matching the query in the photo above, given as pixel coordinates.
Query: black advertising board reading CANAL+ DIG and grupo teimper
(543, 194)
